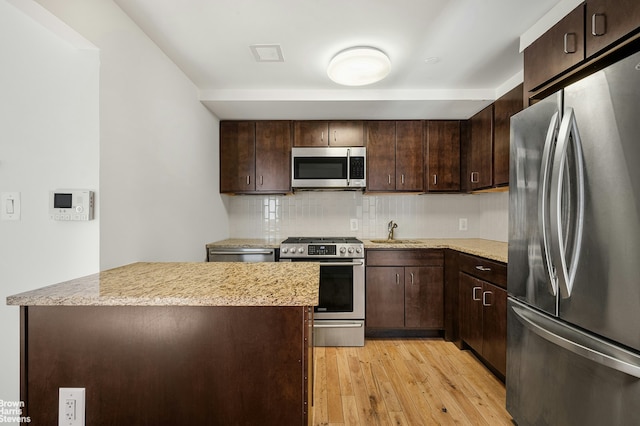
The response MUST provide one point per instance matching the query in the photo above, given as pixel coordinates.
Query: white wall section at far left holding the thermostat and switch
(49, 138)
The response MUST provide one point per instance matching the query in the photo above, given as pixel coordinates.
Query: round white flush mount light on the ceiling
(359, 66)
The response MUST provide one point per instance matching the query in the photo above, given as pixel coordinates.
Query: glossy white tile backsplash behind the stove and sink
(330, 213)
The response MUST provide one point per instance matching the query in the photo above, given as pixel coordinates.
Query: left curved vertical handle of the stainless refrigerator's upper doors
(543, 196)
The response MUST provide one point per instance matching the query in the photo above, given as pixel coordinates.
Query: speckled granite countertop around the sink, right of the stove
(489, 249)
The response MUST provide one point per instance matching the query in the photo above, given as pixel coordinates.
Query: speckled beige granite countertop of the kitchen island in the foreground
(186, 284)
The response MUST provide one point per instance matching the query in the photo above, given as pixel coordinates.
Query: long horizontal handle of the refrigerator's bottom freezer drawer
(580, 344)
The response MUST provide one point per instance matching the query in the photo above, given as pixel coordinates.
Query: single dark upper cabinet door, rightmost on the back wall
(442, 156)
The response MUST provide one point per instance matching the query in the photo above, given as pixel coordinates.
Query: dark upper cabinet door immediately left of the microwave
(273, 156)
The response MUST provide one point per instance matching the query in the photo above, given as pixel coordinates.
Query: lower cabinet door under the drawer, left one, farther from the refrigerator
(471, 311)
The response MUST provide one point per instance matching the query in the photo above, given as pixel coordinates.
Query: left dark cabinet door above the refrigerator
(555, 51)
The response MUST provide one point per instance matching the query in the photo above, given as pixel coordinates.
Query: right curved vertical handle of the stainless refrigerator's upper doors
(566, 268)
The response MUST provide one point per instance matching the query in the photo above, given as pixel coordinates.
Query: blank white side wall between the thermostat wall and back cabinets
(159, 145)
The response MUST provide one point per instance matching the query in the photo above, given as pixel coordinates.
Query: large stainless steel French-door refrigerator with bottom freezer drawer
(573, 322)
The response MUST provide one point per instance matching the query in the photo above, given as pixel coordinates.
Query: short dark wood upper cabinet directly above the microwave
(328, 133)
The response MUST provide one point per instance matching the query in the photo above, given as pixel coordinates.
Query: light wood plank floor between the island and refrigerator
(405, 382)
